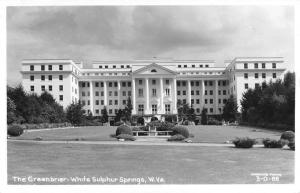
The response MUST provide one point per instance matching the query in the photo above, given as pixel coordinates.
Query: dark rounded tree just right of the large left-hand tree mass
(75, 113)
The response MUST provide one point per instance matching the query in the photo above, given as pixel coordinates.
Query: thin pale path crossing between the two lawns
(129, 143)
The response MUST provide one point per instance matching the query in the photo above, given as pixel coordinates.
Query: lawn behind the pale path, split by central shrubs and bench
(211, 134)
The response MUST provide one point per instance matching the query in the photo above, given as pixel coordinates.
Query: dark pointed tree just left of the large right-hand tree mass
(230, 110)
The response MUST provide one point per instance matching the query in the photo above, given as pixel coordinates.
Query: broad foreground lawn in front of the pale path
(174, 164)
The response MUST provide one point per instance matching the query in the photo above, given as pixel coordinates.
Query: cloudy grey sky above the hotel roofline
(89, 33)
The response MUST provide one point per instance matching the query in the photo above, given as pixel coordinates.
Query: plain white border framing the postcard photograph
(134, 188)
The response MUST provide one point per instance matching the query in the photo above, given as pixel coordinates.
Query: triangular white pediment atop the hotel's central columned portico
(154, 69)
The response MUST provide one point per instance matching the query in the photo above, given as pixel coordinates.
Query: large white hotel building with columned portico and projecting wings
(155, 86)
